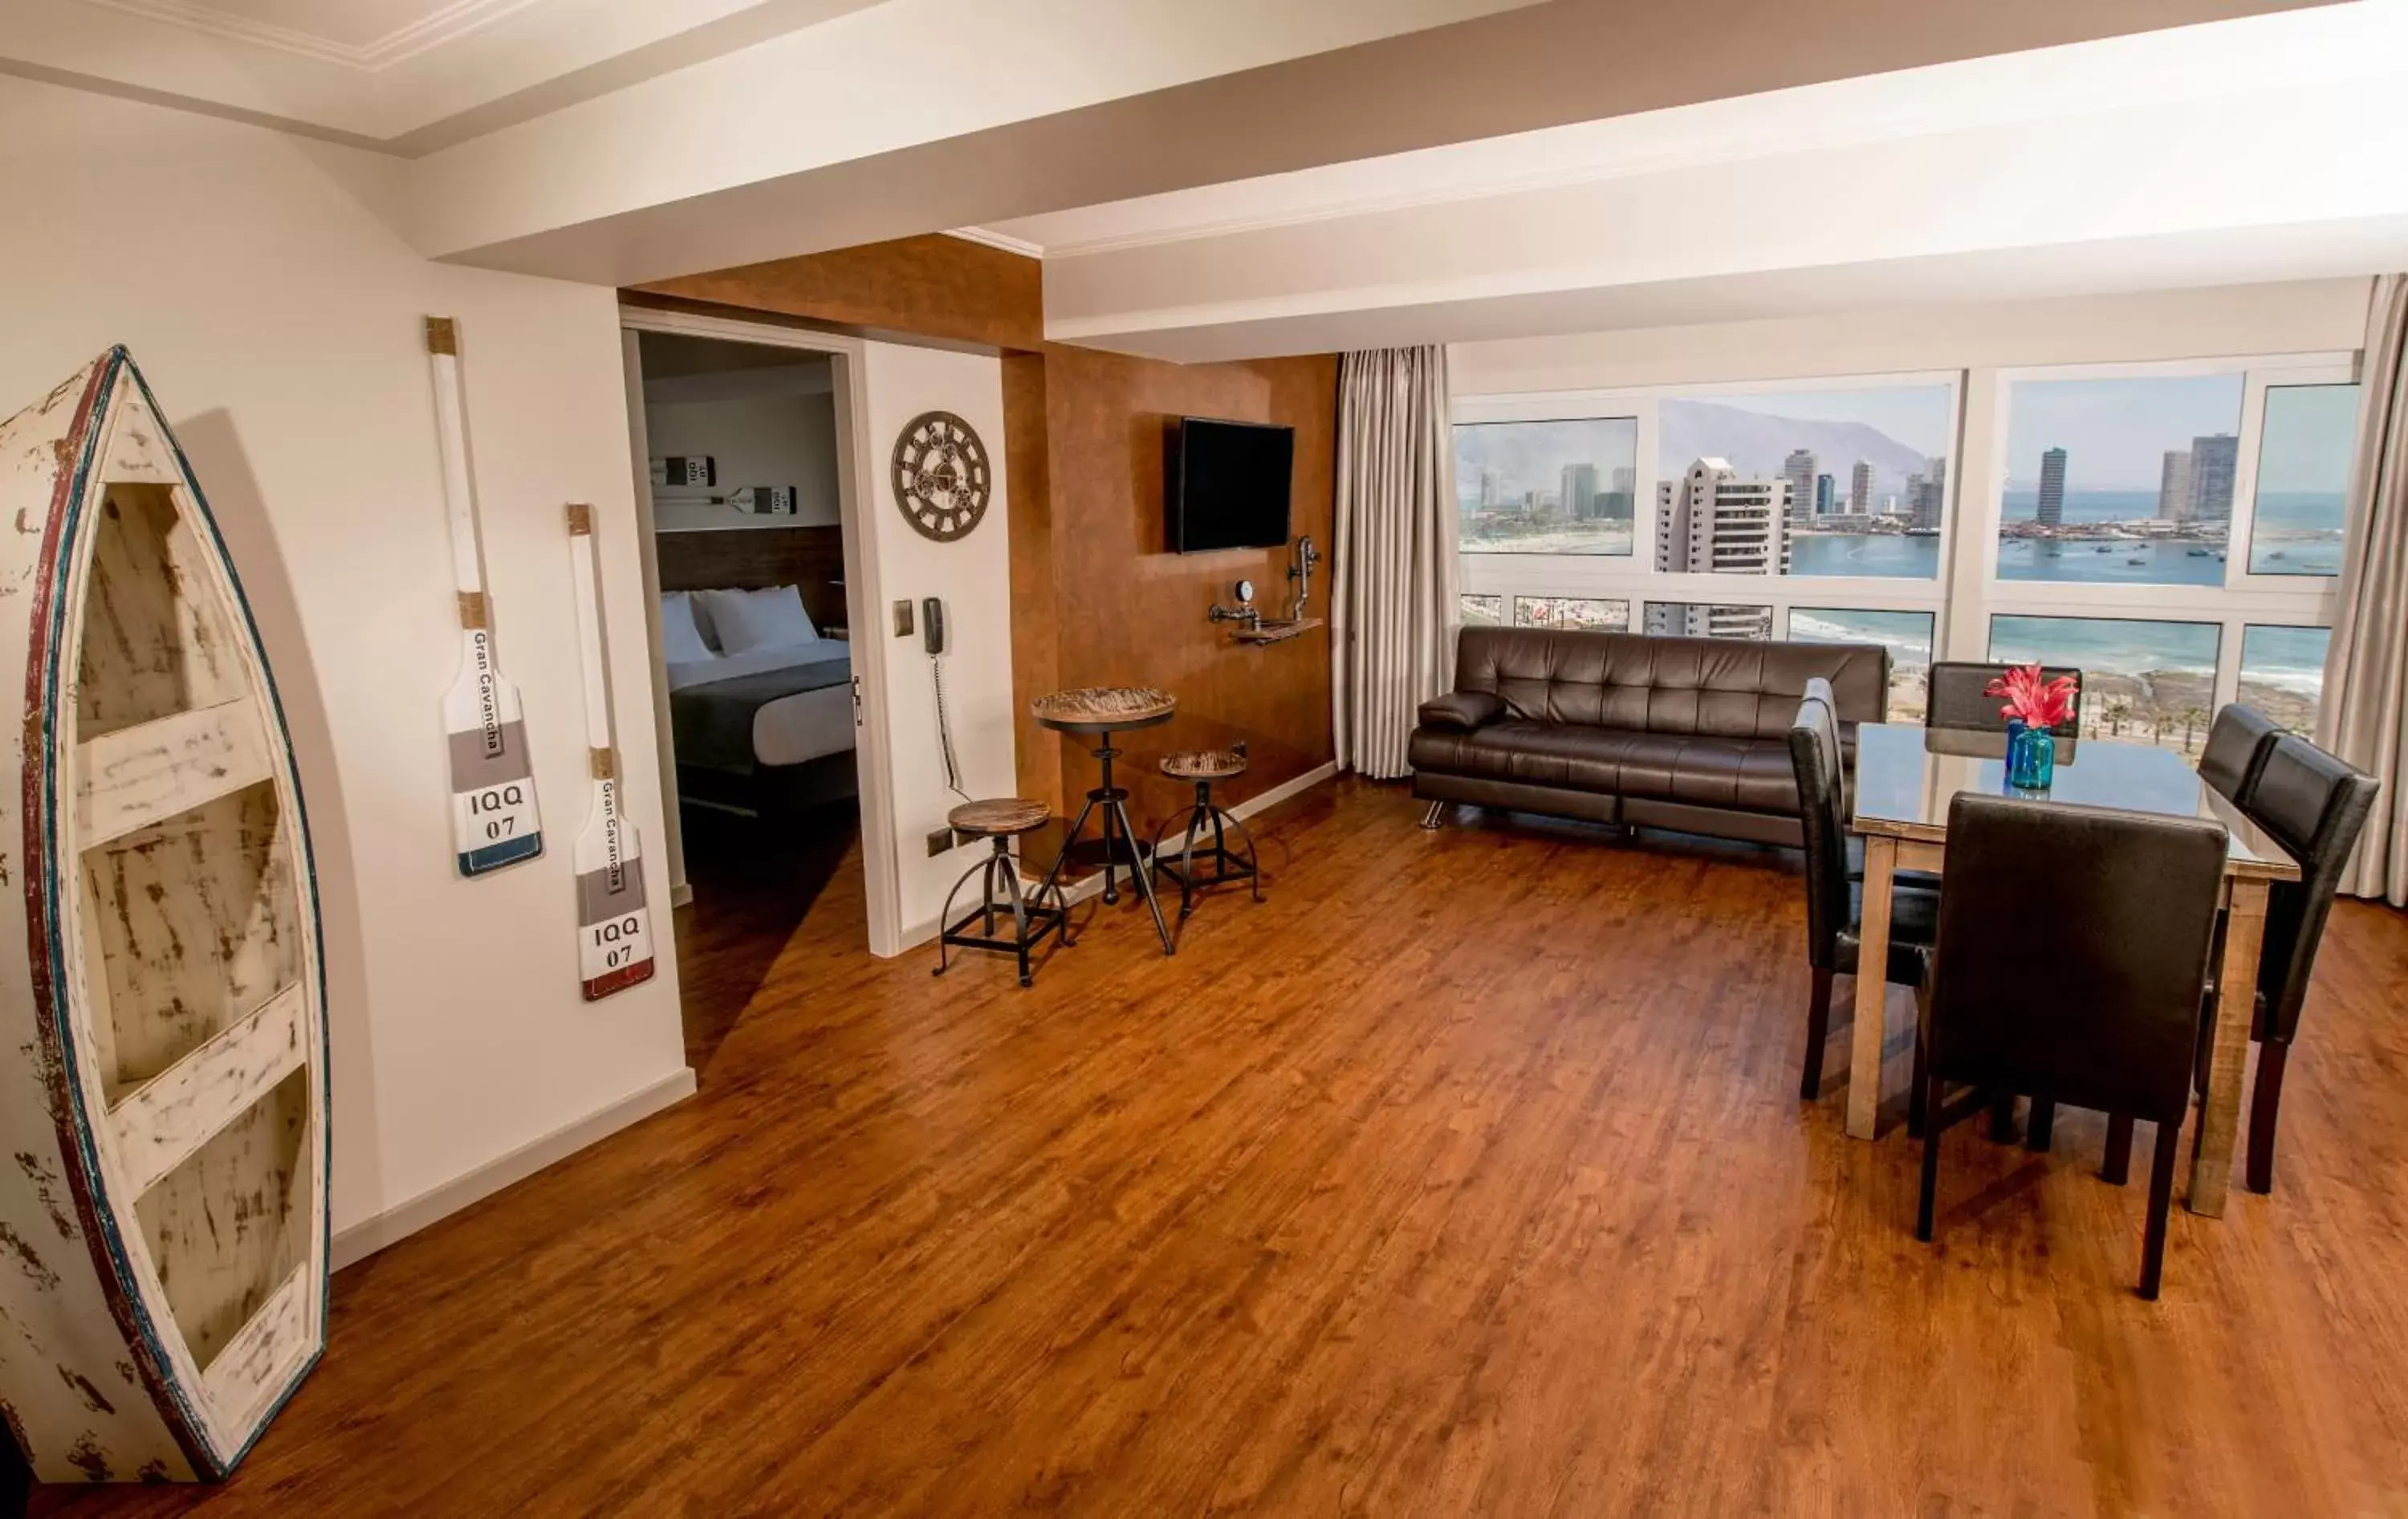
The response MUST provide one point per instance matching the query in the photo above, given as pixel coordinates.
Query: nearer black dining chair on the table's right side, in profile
(2315, 808)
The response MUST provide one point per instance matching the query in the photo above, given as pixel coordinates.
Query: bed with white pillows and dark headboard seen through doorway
(765, 731)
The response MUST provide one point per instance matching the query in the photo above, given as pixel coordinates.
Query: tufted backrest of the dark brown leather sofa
(1708, 687)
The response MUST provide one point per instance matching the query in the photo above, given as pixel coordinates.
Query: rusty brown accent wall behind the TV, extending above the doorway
(1097, 601)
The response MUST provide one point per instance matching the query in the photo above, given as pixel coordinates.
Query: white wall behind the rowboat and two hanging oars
(281, 324)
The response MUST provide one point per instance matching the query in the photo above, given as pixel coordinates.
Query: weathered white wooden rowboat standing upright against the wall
(163, 1010)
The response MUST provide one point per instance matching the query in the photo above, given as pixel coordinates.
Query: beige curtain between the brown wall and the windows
(1393, 603)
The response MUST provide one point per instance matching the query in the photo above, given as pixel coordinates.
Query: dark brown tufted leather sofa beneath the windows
(1646, 733)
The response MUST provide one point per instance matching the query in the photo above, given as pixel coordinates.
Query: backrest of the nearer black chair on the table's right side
(2315, 808)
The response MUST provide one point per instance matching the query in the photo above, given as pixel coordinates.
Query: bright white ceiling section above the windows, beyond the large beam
(2265, 148)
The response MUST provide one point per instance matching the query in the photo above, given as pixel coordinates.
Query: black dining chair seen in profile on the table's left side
(1834, 902)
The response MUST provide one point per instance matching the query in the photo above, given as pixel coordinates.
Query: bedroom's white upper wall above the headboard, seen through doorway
(757, 442)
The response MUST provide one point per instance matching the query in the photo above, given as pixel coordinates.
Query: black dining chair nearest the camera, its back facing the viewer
(2072, 964)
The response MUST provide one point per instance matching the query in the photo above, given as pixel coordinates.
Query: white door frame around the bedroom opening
(863, 593)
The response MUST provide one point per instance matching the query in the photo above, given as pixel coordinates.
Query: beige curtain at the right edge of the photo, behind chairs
(2366, 675)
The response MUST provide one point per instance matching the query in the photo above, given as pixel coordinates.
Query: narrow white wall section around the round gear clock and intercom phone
(974, 579)
